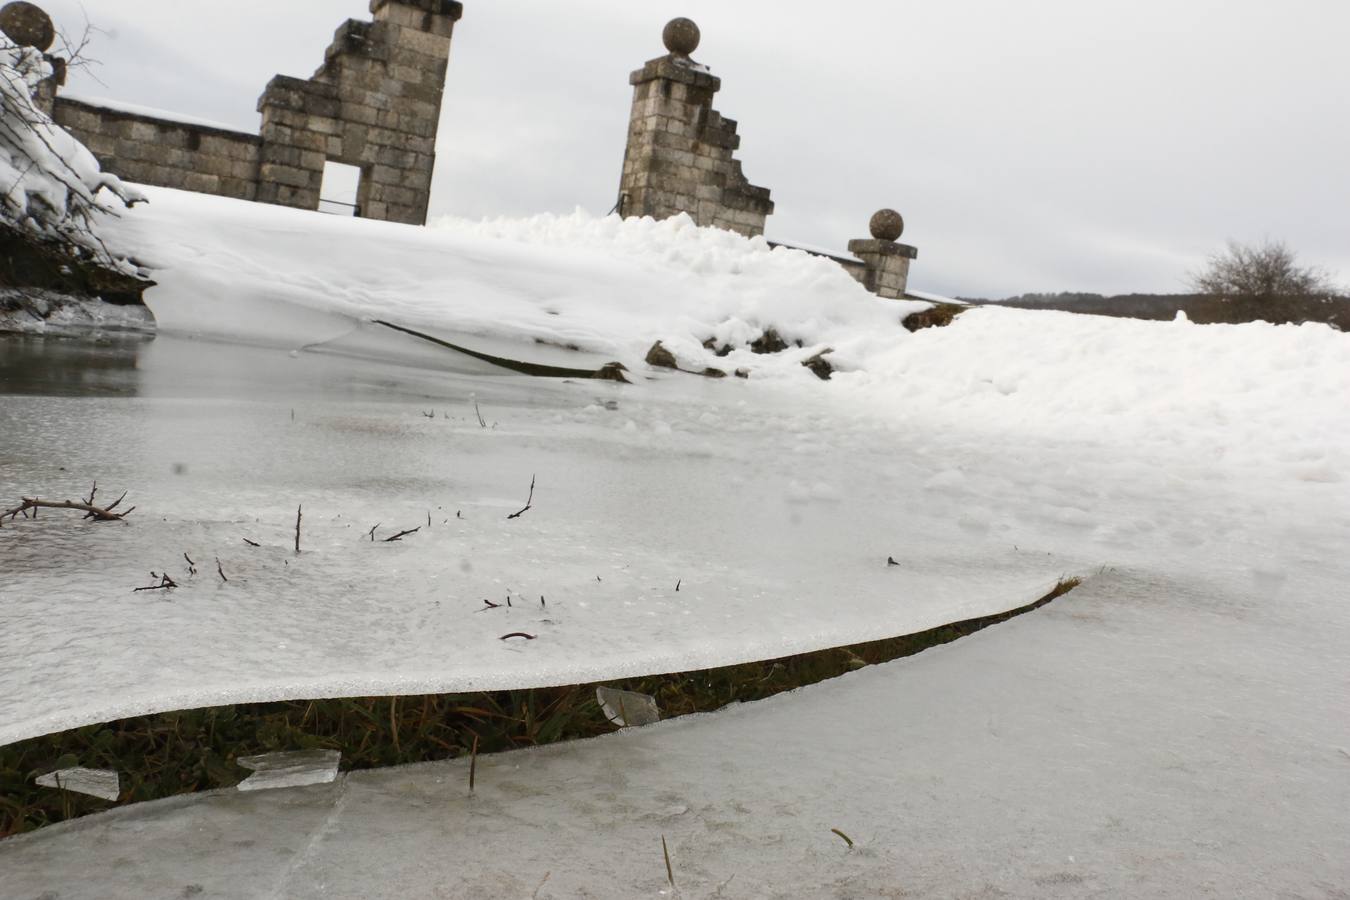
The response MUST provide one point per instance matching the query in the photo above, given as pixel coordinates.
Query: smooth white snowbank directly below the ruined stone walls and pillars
(608, 287)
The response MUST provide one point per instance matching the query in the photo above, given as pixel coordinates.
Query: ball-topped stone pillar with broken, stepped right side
(681, 152)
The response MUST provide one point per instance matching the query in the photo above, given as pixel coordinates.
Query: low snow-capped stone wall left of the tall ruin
(159, 152)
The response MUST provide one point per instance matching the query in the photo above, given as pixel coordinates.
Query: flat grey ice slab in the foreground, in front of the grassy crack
(1143, 737)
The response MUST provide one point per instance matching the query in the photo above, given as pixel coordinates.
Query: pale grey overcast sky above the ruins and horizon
(1048, 145)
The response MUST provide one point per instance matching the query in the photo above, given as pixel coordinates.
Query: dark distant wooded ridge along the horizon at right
(1332, 310)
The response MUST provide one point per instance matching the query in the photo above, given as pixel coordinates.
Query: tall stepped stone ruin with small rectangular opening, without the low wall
(373, 105)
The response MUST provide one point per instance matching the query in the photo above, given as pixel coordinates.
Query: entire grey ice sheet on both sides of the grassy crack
(1177, 728)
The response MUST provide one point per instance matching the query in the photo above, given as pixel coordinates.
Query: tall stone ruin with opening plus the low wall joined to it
(375, 105)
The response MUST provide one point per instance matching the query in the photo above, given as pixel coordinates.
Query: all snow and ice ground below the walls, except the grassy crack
(1177, 728)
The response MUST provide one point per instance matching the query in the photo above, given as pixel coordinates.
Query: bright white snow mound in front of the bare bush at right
(1253, 395)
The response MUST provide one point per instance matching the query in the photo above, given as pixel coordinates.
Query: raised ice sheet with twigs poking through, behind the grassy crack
(676, 526)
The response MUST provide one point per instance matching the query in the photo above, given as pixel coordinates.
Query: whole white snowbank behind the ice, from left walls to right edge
(1255, 393)
